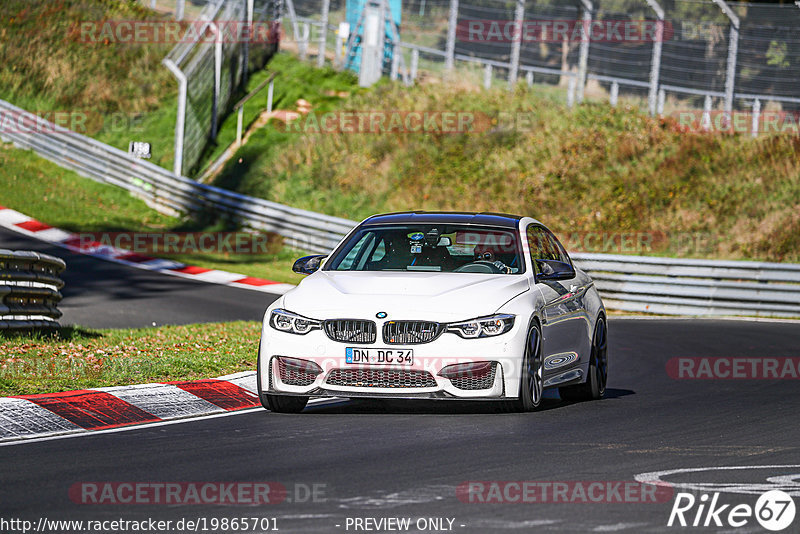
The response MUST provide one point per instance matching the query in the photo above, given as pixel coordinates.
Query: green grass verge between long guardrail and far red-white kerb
(63, 199)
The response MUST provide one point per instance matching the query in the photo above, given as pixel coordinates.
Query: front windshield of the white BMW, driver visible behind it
(431, 247)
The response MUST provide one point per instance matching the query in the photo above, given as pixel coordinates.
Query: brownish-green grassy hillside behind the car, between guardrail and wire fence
(593, 169)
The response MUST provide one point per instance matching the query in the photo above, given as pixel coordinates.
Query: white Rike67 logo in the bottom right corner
(774, 511)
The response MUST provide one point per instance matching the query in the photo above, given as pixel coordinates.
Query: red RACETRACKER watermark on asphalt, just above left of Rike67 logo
(563, 491)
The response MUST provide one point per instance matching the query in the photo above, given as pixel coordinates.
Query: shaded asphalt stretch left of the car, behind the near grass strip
(104, 294)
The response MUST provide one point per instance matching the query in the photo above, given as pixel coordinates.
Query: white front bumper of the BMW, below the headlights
(334, 377)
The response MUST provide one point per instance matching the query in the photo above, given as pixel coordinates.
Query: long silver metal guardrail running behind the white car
(632, 283)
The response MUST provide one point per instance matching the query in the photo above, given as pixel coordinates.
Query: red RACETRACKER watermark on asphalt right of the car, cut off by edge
(733, 368)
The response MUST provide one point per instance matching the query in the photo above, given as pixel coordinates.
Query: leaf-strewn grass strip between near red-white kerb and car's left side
(76, 358)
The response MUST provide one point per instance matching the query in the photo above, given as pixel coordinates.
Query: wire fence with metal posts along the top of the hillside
(672, 54)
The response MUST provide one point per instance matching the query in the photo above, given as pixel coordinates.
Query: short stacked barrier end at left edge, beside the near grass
(29, 290)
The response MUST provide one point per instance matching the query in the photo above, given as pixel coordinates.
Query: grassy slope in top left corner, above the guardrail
(116, 92)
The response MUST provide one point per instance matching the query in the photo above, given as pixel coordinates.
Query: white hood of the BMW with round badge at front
(403, 295)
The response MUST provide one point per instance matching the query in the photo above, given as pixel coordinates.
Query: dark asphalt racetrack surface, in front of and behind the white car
(405, 460)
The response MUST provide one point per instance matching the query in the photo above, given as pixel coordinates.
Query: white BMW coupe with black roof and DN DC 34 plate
(432, 305)
